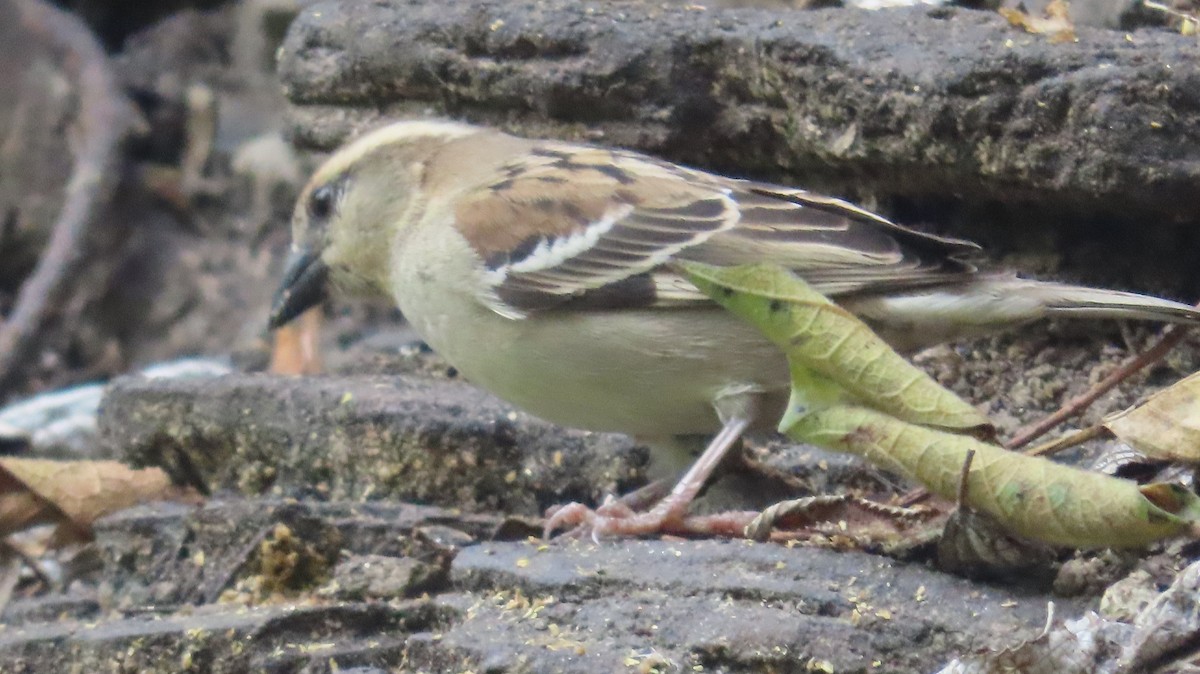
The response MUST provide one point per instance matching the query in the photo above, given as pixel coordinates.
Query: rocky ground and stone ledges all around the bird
(1073, 161)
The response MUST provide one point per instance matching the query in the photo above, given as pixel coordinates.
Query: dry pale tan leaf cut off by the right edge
(1167, 426)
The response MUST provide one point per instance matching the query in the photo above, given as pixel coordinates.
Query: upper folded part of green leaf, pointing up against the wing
(835, 357)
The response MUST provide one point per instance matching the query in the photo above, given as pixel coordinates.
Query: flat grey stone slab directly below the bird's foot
(724, 606)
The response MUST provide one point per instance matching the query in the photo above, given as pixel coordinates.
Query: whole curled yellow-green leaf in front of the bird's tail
(853, 393)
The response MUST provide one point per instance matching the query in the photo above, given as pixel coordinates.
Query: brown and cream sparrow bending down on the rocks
(547, 273)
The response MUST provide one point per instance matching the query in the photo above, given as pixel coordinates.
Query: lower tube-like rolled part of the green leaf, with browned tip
(1034, 497)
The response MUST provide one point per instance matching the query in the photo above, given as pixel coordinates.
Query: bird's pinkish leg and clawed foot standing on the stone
(614, 519)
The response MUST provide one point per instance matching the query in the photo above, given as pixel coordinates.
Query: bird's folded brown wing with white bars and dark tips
(577, 227)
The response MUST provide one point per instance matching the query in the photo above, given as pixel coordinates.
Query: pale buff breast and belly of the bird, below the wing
(607, 371)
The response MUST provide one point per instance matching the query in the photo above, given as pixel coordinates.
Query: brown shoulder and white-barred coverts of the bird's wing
(591, 242)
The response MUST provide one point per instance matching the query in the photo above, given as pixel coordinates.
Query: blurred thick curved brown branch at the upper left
(104, 121)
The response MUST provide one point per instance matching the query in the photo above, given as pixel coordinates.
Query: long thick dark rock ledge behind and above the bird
(914, 103)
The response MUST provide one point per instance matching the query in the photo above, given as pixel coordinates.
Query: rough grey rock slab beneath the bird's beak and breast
(433, 442)
